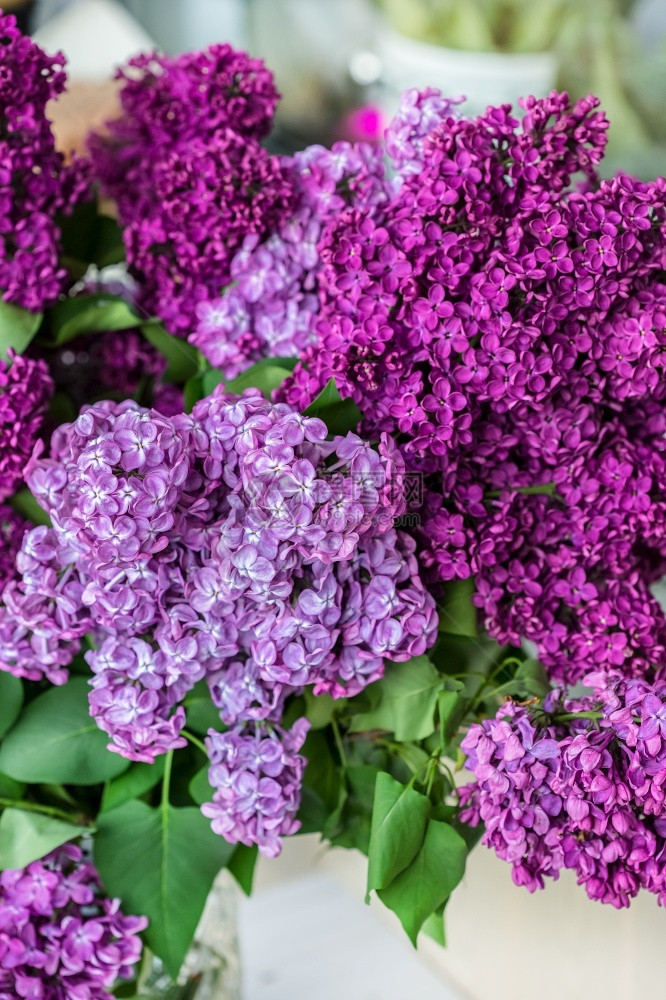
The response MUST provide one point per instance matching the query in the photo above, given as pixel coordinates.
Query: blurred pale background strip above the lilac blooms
(341, 64)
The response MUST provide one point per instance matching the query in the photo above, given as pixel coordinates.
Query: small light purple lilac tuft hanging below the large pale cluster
(257, 776)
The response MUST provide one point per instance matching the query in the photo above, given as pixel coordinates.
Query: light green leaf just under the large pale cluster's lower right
(409, 693)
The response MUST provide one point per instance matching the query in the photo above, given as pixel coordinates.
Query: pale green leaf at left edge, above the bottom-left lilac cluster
(27, 836)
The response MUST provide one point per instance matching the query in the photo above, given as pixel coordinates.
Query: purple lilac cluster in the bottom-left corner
(60, 938)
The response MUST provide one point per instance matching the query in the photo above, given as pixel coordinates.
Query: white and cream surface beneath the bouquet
(307, 935)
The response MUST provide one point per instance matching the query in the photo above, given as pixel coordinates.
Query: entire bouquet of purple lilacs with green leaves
(325, 480)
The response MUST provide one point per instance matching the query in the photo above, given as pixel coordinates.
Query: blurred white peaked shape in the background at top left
(97, 36)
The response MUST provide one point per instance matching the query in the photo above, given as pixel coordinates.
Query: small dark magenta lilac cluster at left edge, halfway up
(25, 389)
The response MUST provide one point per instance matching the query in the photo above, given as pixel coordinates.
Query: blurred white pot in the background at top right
(482, 77)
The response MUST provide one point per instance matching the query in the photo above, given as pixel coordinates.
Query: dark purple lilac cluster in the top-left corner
(35, 183)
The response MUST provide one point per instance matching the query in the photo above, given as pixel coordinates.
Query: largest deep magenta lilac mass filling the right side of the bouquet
(506, 325)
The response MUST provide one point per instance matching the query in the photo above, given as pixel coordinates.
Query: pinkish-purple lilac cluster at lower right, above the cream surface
(582, 787)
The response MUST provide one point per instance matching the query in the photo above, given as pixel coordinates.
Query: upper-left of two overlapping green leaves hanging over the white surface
(399, 818)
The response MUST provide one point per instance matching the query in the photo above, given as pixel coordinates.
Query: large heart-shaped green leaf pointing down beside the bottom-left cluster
(162, 863)
